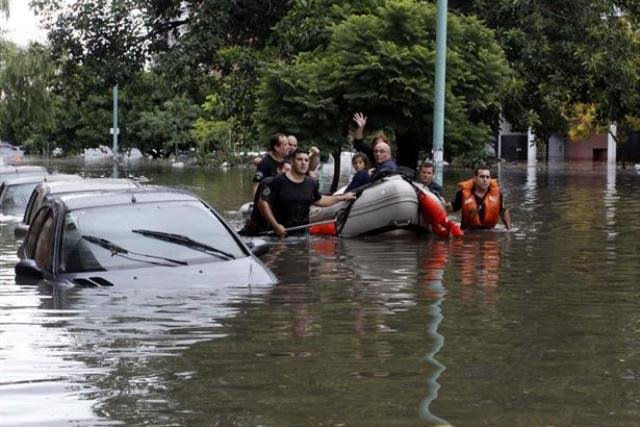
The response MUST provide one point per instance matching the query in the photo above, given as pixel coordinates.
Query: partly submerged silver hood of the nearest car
(247, 271)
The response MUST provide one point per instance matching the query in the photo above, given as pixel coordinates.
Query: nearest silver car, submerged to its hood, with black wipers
(159, 238)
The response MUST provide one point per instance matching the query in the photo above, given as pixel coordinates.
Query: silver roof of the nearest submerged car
(147, 194)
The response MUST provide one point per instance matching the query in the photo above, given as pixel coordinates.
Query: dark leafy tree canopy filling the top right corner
(565, 54)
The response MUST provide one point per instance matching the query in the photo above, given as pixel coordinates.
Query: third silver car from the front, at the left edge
(15, 192)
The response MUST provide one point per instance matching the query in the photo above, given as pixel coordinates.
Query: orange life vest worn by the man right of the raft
(491, 205)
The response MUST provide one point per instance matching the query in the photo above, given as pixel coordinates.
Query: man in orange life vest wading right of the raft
(481, 202)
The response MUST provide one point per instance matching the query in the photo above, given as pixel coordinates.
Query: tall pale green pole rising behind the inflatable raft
(438, 103)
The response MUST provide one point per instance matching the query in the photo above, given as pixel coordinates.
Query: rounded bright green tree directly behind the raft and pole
(382, 63)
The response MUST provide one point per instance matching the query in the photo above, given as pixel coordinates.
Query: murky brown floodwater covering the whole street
(534, 327)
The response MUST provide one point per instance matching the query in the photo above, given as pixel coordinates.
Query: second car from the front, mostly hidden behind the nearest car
(46, 190)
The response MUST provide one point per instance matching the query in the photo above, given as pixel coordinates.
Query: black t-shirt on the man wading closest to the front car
(290, 201)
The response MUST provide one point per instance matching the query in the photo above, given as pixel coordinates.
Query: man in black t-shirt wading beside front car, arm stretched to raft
(286, 200)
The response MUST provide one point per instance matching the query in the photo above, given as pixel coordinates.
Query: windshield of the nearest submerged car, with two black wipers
(115, 224)
